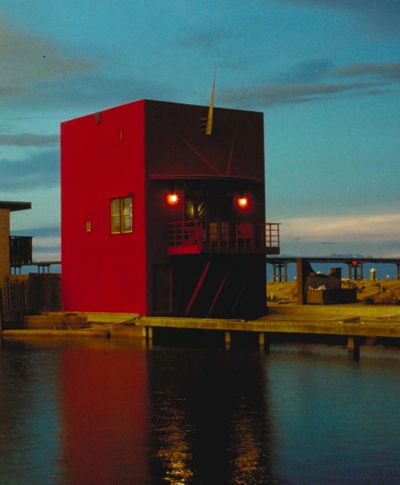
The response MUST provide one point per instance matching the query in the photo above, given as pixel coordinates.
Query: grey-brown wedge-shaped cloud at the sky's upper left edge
(26, 60)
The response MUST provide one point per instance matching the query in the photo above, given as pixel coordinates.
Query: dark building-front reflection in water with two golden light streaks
(210, 417)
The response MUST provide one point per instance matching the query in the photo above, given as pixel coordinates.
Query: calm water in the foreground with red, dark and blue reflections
(103, 411)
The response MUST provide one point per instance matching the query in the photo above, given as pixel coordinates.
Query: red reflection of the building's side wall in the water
(104, 414)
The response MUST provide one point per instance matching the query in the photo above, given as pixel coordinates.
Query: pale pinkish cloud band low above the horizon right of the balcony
(371, 228)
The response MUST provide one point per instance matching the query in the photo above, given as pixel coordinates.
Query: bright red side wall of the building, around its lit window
(103, 271)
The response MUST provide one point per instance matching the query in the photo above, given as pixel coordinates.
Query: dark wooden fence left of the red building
(21, 296)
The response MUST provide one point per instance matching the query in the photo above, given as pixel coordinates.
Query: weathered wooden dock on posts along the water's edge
(355, 322)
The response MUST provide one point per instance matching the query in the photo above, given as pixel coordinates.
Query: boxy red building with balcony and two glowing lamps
(159, 217)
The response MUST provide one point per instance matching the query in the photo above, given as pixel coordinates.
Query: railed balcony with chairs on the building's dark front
(195, 237)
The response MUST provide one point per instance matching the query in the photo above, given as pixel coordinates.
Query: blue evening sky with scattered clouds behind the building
(325, 73)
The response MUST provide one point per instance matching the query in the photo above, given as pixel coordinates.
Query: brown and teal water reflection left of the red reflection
(29, 445)
